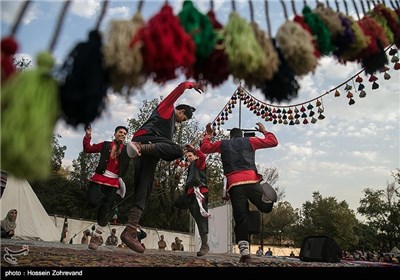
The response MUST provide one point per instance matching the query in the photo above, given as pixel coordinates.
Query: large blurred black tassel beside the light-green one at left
(84, 87)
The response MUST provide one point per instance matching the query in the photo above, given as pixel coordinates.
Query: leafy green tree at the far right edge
(382, 211)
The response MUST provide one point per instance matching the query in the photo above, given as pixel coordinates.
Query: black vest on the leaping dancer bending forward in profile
(158, 126)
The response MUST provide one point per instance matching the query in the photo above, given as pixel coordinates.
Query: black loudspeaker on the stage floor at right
(320, 249)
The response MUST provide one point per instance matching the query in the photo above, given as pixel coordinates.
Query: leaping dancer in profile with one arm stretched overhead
(152, 142)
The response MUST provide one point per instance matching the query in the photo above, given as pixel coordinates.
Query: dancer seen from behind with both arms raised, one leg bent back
(243, 179)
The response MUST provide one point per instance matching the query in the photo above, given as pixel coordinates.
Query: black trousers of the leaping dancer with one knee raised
(145, 166)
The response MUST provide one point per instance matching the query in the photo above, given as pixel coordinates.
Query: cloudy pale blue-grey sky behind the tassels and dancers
(353, 148)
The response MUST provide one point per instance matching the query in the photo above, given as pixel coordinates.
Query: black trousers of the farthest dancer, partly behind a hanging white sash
(186, 201)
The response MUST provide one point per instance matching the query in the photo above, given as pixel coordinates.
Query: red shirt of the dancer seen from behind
(241, 177)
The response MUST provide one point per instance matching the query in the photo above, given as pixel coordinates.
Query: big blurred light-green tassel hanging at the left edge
(29, 110)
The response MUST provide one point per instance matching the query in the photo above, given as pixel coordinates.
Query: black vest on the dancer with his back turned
(237, 154)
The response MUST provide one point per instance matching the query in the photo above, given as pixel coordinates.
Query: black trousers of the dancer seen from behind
(240, 196)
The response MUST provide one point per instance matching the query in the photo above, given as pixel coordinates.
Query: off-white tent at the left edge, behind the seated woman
(33, 222)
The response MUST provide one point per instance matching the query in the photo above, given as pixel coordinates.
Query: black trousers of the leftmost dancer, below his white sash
(101, 196)
